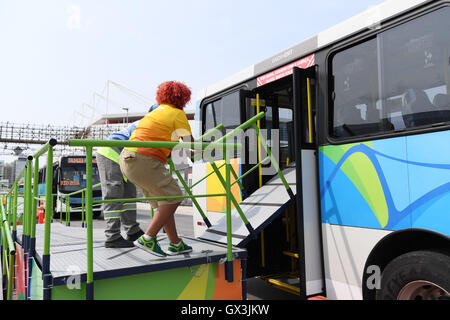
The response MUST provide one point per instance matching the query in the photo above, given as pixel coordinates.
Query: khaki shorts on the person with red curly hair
(151, 176)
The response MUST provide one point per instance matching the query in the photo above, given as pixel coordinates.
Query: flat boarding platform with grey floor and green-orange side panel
(112, 266)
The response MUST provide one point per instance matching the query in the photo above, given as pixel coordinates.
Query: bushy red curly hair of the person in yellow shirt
(174, 93)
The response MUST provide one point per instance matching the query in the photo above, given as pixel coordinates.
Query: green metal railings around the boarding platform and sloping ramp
(31, 195)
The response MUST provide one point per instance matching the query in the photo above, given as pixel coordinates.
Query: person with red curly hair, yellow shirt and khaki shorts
(145, 167)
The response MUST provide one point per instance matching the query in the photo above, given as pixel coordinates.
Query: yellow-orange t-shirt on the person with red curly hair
(165, 123)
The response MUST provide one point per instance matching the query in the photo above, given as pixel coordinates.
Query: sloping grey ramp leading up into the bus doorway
(260, 208)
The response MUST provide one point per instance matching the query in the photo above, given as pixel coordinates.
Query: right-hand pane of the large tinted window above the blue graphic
(416, 80)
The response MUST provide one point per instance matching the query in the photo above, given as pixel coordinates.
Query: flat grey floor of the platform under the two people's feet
(68, 254)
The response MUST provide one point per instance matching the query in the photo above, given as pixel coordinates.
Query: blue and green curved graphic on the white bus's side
(388, 184)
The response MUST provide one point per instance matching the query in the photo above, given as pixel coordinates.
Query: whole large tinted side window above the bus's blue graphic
(397, 81)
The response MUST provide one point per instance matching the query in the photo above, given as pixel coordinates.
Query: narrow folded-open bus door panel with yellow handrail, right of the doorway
(309, 245)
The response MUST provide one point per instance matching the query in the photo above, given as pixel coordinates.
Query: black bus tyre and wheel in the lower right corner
(417, 275)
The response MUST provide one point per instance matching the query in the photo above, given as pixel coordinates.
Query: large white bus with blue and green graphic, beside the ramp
(363, 113)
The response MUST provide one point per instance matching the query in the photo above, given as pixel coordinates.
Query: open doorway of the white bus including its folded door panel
(292, 240)
